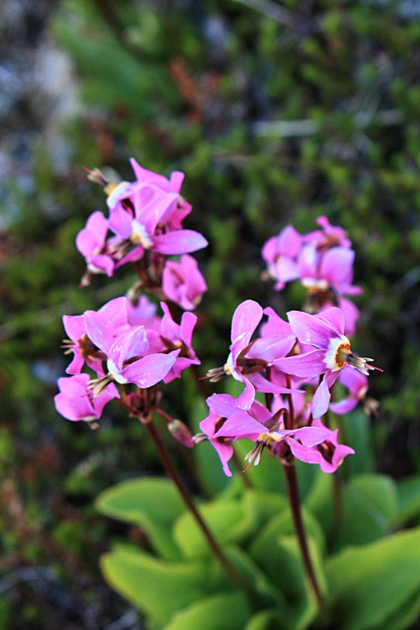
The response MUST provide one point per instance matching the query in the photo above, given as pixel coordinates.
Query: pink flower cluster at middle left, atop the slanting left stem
(123, 345)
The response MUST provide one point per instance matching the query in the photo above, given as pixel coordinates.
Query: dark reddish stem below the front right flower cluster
(293, 491)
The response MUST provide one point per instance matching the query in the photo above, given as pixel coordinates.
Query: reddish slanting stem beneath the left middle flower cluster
(212, 542)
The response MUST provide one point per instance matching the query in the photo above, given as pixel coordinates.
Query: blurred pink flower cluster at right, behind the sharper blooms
(322, 260)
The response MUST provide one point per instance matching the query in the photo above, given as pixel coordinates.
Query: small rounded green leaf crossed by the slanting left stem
(228, 521)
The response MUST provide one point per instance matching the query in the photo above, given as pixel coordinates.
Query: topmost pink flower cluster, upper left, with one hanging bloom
(145, 221)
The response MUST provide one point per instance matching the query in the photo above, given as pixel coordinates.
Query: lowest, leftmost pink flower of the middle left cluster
(75, 401)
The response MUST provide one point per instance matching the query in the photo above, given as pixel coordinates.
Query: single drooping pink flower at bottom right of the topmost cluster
(183, 283)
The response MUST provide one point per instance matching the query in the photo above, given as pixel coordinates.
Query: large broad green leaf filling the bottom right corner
(372, 584)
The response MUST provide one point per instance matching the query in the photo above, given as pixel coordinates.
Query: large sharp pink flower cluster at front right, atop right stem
(287, 359)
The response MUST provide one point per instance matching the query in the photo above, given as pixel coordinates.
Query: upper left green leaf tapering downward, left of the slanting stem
(151, 503)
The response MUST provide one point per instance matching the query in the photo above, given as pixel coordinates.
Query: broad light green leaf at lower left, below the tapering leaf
(159, 588)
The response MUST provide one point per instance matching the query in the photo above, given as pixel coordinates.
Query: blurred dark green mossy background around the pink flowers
(277, 112)
